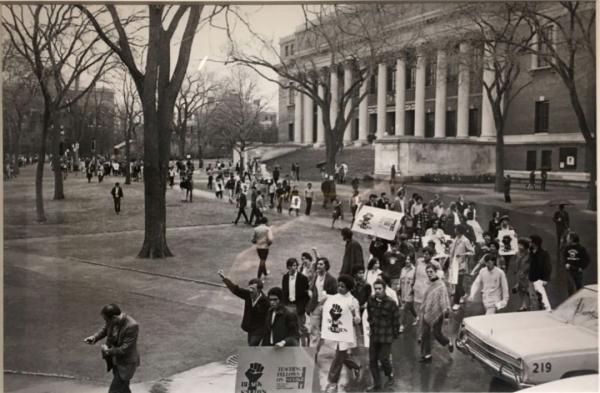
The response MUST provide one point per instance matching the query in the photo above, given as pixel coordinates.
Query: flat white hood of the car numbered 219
(525, 334)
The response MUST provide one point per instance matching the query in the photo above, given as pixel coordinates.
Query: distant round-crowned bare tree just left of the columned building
(236, 113)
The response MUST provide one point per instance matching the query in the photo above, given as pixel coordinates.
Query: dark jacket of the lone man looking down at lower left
(121, 339)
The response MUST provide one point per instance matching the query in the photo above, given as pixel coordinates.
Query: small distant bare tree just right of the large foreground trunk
(190, 99)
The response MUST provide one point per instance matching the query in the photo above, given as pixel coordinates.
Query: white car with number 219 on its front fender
(531, 348)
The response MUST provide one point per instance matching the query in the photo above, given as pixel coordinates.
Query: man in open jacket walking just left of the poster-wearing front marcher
(322, 285)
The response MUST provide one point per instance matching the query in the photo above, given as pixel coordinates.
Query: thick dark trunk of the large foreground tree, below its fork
(156, 148)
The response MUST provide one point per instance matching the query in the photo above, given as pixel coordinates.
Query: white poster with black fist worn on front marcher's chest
(337, 324)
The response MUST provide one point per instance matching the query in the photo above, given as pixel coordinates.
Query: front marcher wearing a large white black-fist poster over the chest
(341, 313)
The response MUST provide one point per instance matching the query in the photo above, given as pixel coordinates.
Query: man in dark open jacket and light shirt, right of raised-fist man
(295, 296)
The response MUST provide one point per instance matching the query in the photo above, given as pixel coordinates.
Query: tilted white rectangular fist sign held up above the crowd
(377, 222)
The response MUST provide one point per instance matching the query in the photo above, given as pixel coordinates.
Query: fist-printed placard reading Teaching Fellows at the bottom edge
(272, 370)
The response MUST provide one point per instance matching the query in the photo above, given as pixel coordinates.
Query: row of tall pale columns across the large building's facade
(303, 129)
